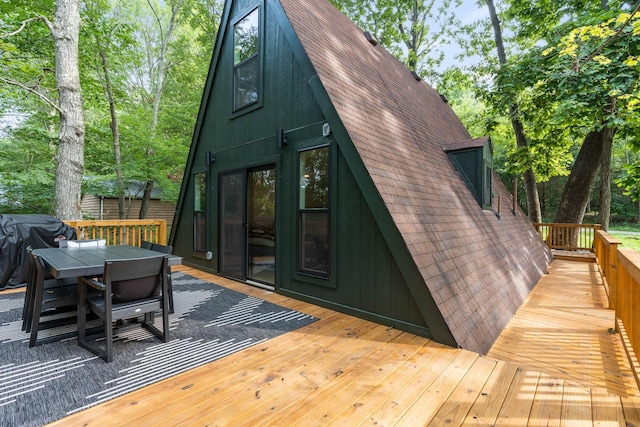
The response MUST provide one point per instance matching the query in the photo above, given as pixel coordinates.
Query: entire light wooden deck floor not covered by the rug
(346, 371)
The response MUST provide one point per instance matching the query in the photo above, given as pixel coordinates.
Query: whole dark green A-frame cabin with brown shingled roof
(323, 168)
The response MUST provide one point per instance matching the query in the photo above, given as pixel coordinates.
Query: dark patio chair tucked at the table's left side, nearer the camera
(48, 303)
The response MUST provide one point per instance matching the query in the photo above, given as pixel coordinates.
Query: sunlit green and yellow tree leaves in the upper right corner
(572, 70)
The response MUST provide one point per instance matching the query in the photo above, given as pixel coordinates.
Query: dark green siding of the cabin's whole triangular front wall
(365, 279)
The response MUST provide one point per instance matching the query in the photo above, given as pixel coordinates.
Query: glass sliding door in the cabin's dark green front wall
(248, 225)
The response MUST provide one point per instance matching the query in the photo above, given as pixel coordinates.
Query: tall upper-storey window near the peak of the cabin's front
(246, 66)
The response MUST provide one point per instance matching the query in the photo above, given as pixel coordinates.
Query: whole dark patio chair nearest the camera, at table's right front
(130, 288)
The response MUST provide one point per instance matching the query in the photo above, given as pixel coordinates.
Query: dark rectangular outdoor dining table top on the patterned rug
(89, 261)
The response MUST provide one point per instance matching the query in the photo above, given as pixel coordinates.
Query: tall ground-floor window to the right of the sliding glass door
(313, 212)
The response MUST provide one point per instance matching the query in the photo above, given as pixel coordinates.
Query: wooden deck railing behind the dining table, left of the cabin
(123, 232)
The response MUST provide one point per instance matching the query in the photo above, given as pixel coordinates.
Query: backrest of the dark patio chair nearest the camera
(135, 279)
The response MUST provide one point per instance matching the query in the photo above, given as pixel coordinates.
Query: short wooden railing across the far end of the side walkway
(568, 237)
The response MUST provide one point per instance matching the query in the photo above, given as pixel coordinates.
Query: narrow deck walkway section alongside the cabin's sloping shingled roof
(563, 328)
